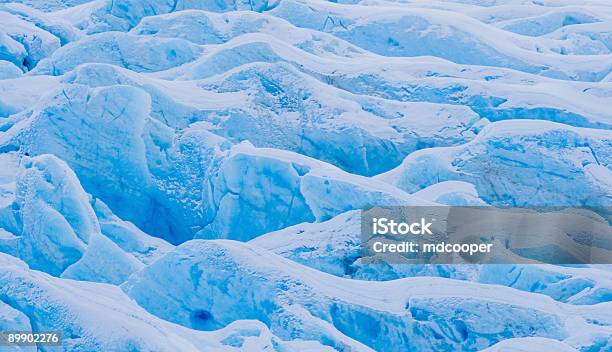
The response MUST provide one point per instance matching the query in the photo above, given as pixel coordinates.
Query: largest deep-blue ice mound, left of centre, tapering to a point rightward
(161, 173)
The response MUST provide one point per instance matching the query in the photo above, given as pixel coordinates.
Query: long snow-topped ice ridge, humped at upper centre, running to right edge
(495, 94)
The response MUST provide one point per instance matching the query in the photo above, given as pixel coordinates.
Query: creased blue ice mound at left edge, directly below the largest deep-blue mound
(47, 222)
